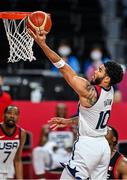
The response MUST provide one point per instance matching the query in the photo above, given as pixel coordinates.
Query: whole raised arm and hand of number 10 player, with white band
(80, 85)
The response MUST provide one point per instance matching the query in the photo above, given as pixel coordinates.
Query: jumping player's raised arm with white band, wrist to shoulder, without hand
(77, 83)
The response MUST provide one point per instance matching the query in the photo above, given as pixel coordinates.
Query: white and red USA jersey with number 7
(8, 148)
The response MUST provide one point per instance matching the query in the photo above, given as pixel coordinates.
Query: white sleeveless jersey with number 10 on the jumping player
(93, 120)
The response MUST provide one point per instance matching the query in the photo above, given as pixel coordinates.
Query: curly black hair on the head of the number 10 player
(114, 71)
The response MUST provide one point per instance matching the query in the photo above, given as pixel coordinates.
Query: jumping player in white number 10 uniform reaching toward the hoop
(91, 151)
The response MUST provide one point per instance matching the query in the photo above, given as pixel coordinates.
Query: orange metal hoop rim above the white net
(13, 15)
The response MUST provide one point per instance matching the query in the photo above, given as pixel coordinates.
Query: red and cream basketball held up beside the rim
(39, 20)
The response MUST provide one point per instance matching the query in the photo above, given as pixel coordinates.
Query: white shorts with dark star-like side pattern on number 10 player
(90, 158)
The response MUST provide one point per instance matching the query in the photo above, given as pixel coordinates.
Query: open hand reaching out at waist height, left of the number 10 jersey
(58, 122)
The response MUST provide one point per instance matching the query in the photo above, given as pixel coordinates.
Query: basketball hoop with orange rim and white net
(20, 41)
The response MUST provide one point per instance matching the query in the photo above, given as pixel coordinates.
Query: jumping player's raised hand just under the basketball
(38, 36)
